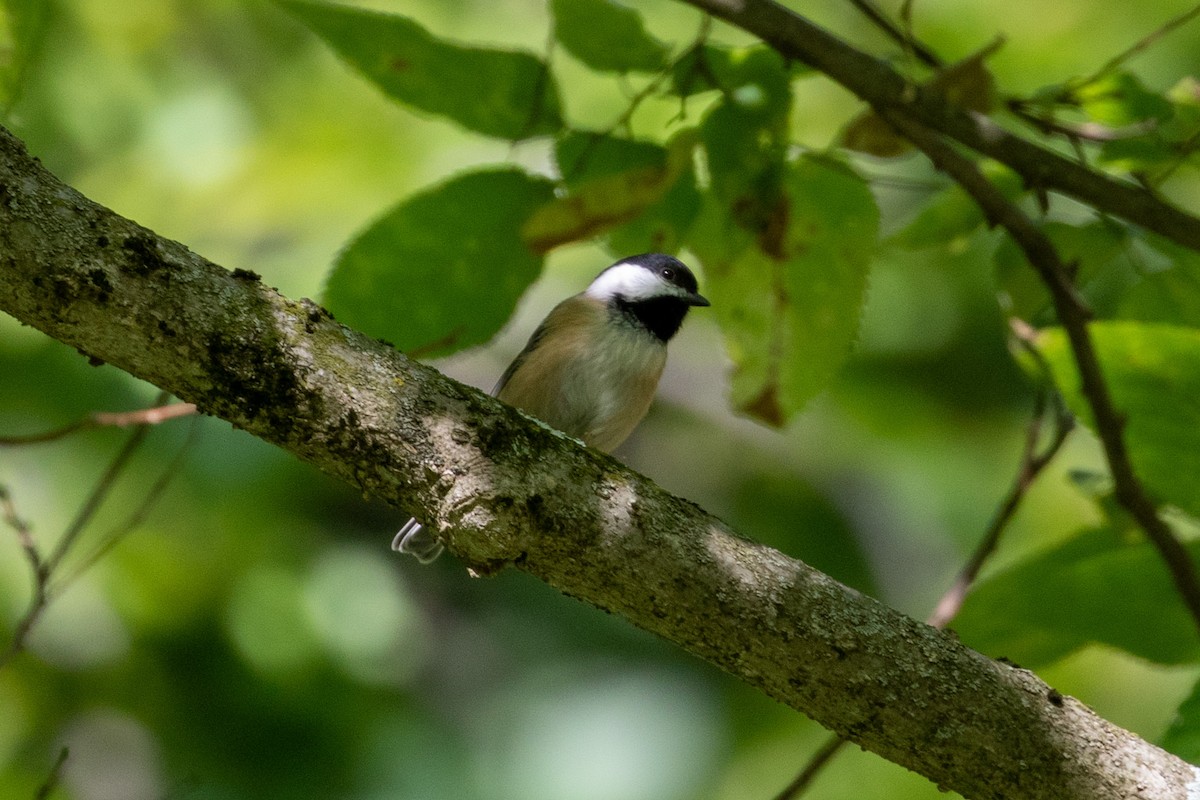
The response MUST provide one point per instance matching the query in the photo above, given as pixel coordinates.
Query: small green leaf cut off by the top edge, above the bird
(607, 37)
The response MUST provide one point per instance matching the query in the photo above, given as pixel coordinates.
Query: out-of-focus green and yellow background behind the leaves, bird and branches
(255, 637)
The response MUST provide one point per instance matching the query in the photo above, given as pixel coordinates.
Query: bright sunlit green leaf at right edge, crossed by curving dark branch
(1154, 374)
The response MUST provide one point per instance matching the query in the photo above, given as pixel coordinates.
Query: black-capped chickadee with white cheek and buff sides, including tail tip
(592, 368)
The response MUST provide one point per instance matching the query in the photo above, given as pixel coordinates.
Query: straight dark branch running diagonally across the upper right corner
(885, 89)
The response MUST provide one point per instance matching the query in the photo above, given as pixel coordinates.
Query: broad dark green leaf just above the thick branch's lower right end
(1105, 586)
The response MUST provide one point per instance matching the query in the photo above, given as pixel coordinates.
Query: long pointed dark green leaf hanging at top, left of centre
(496, 93)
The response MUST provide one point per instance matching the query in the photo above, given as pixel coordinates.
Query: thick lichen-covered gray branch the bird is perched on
(507, 491)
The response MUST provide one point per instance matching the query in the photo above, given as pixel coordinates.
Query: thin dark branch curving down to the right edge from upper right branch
(1073, 316)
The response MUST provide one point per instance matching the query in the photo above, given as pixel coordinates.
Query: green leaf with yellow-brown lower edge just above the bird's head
(627, 179)
